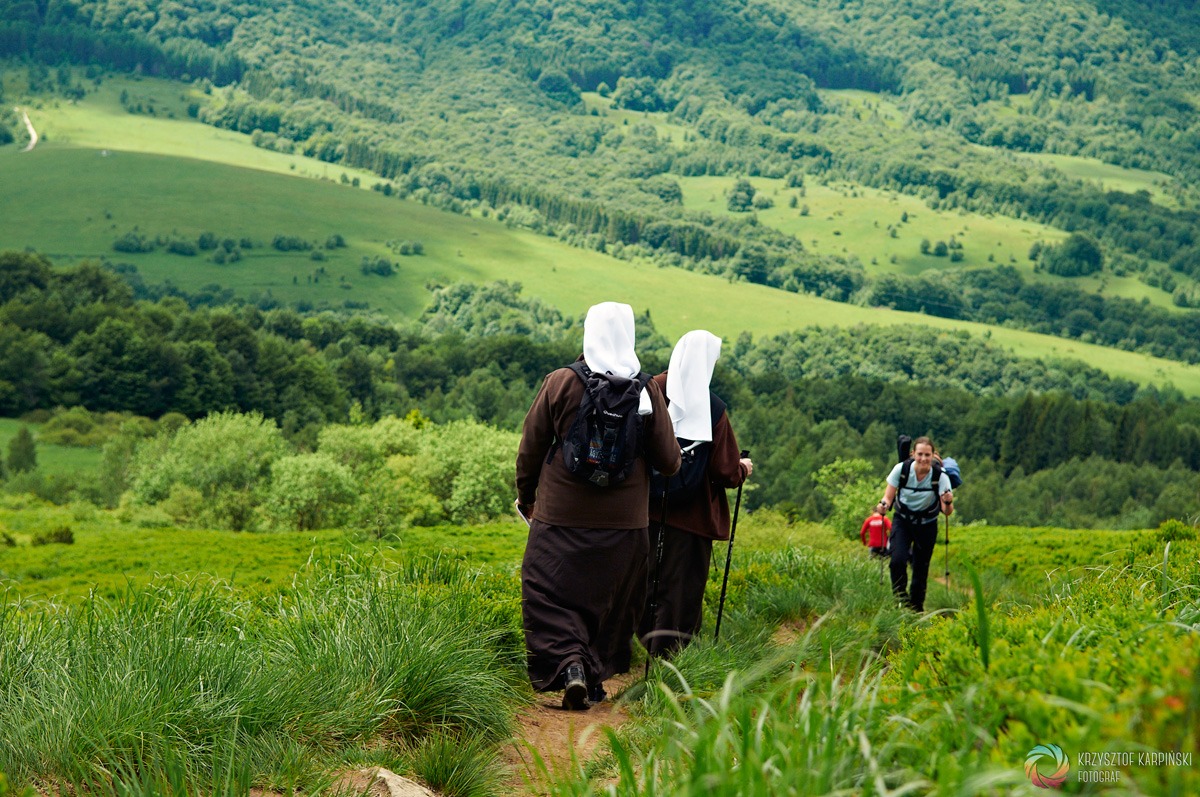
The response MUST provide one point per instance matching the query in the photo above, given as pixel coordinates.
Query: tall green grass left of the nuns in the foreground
(191, 684)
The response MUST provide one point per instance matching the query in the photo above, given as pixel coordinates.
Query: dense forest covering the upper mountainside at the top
(479, 106)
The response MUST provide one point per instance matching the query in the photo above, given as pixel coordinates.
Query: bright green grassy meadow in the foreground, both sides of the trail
(814, 660)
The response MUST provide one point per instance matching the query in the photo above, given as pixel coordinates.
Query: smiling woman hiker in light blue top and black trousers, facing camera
(920, 490)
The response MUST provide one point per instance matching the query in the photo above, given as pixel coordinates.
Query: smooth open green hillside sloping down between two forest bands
(56, 211)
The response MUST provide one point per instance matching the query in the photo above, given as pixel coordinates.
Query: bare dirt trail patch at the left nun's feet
(553, 733)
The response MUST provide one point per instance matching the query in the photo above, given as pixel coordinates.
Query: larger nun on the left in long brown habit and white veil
(585, 568)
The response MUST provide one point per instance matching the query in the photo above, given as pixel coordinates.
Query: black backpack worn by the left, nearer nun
(605, 439)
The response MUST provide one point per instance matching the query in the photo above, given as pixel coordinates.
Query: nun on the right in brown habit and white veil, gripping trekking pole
(674, 616)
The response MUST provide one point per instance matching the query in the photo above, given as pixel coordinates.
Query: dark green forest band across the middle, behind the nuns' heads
(1042, 442)
